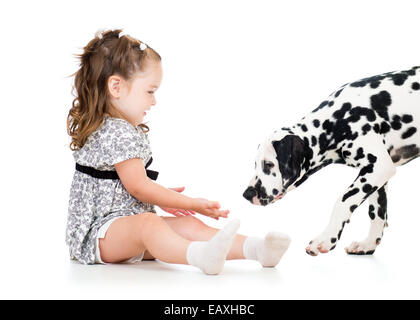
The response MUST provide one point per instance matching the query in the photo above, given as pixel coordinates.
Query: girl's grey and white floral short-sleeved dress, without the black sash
(95, 201)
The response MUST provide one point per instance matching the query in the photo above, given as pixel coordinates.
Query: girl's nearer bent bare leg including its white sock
(129, 236)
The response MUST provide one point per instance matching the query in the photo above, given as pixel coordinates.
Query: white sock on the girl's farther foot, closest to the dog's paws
(267, 251)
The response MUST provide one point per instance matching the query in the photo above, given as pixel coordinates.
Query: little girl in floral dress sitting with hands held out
(111, 216)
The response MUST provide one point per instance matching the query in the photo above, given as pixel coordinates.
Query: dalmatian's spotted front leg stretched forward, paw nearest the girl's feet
(377, 169)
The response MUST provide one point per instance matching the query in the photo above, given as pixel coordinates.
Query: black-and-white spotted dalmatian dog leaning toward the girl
(373, 125)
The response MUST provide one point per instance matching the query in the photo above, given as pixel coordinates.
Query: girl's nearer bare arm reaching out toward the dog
(133, 176)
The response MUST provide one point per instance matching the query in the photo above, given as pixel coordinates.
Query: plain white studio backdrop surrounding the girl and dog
(234, 71)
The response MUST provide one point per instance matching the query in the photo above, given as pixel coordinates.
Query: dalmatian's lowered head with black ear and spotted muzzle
(278, 166)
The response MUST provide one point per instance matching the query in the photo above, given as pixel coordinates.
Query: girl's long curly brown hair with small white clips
(109, 53)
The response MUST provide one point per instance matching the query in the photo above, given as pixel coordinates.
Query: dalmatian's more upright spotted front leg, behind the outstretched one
(378, 215)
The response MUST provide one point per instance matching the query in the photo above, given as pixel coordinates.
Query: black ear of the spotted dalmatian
(290, 155)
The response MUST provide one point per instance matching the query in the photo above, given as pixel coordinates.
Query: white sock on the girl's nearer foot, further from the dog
(210, 256)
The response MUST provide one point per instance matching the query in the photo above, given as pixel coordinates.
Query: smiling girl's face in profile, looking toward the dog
(136, 97)
